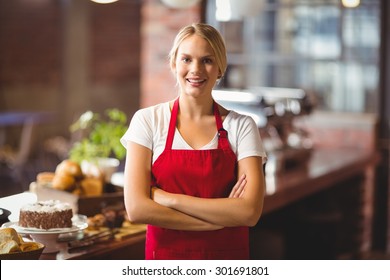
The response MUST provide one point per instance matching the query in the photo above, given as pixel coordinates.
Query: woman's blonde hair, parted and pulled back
(207, 32)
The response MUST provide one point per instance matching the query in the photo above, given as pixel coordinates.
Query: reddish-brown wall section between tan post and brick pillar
(115, 42)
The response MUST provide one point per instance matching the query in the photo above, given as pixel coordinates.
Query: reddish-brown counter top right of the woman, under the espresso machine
(325, 168)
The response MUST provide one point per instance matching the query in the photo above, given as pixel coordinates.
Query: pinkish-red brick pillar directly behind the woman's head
(159, 27)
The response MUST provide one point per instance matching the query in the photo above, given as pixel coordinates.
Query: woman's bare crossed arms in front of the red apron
(176, 211)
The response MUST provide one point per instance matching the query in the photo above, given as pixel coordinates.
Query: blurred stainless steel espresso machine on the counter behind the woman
(274, 110)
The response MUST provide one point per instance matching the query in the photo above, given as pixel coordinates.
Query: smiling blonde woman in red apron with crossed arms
(194, 169)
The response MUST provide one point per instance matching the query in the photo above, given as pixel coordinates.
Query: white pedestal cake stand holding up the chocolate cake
(49, 237)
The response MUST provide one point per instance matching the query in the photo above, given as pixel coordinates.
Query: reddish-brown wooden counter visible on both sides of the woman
(326, 168)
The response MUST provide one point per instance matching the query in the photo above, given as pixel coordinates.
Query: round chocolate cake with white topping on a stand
(46, 215)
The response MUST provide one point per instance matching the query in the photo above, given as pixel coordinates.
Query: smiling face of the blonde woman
(195, 66)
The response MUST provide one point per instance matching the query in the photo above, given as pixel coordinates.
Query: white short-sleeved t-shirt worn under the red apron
(149, 128)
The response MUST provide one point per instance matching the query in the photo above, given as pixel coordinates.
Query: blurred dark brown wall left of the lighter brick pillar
(69, 56)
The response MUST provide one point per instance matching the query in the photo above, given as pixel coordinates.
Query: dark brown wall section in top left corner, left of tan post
(30, 43)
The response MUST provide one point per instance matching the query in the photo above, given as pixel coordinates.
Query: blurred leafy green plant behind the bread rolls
(98, 136)
